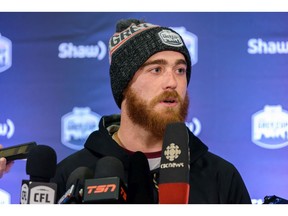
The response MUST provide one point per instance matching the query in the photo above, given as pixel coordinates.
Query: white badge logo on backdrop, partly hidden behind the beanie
(191, 41)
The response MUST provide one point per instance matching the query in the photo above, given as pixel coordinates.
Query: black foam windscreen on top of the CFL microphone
(41, 163)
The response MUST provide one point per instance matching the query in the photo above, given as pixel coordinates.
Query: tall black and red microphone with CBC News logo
(175, 165)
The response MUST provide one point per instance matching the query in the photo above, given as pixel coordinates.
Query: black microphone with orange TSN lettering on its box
(107, 187)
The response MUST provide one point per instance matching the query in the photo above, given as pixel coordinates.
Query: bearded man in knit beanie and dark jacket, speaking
(150, 70)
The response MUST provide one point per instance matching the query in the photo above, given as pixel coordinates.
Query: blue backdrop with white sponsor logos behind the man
(54, 86)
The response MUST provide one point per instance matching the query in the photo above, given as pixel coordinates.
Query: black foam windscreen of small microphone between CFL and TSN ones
(78, 177)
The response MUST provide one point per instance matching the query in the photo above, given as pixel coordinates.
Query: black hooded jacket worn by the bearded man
(213, 180)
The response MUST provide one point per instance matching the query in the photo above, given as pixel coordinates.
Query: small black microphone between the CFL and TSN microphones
(74, 186)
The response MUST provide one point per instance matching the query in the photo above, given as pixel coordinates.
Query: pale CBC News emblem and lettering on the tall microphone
(172, 152)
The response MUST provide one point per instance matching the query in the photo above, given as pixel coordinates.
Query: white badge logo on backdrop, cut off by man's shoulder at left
(77, 126)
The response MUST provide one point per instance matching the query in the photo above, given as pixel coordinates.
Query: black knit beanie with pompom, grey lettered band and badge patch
(132, 44)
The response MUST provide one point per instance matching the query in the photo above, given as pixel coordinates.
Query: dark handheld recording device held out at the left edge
(17, 152)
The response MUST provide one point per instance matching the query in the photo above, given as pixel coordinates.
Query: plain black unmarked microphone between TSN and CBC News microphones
(140, 183)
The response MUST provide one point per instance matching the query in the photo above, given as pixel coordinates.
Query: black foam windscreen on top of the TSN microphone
(109, 166)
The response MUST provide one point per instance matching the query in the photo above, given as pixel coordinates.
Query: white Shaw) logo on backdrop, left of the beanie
(69, 50)
